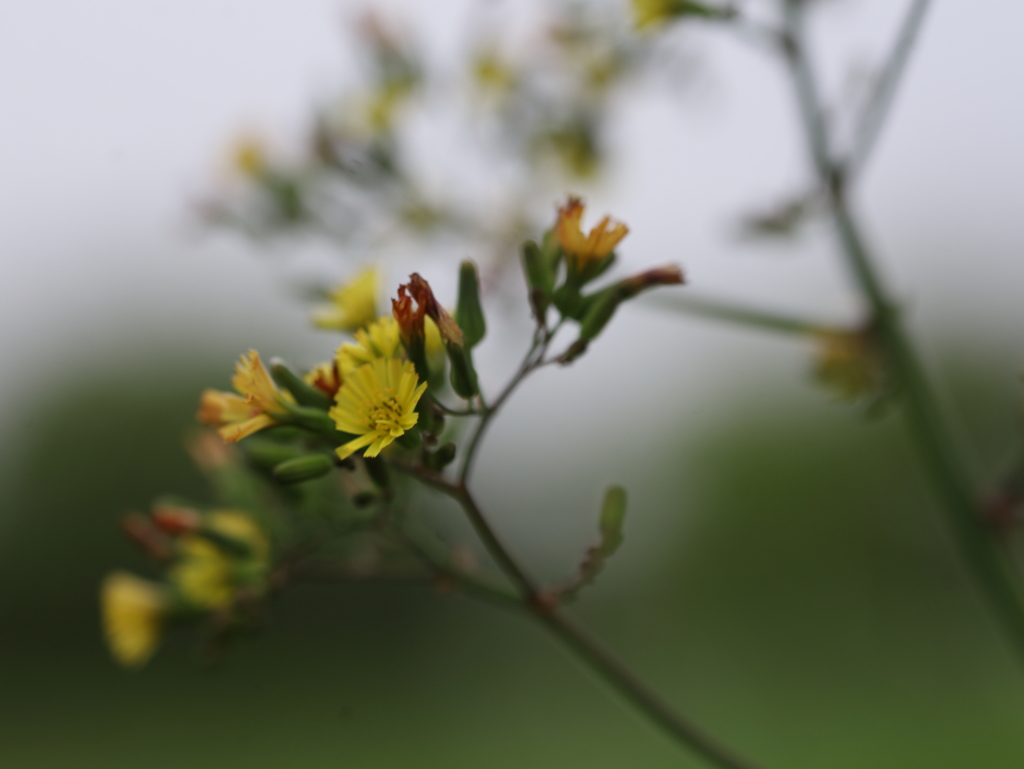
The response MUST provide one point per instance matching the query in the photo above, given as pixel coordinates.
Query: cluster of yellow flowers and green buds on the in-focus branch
(306, 455)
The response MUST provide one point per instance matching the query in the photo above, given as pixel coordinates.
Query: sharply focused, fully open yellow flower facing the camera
(377, 403)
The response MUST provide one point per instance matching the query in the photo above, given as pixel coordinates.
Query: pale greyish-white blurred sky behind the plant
(116, 116)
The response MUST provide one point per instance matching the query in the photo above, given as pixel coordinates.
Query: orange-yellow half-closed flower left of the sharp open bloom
(259, 406)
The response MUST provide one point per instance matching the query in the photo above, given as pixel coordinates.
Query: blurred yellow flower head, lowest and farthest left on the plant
(134, 612)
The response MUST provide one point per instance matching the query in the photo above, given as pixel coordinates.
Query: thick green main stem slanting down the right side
(934, 439)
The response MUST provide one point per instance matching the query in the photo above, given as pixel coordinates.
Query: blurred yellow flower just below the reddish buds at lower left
(207, 575)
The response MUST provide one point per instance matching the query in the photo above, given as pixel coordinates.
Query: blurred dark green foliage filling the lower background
(812, 612)
